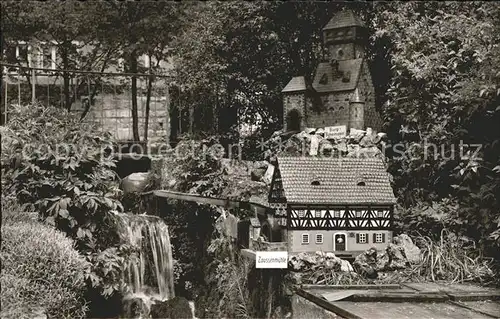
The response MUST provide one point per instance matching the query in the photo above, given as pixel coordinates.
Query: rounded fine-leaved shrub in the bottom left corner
(41, 269)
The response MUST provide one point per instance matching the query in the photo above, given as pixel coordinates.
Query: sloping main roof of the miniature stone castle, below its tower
(353, 66)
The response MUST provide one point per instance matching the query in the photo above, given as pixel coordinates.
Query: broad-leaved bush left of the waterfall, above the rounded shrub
(57, 164)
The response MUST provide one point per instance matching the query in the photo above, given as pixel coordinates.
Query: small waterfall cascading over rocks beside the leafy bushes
(149, 271)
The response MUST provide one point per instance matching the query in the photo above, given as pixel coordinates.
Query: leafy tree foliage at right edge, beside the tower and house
(443, 95)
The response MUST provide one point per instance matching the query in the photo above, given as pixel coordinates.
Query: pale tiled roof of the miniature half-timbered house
(338, 181)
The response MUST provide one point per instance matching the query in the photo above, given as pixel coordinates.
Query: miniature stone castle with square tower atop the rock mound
(341, 92)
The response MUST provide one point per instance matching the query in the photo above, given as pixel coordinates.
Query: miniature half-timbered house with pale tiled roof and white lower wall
(340, 205)
